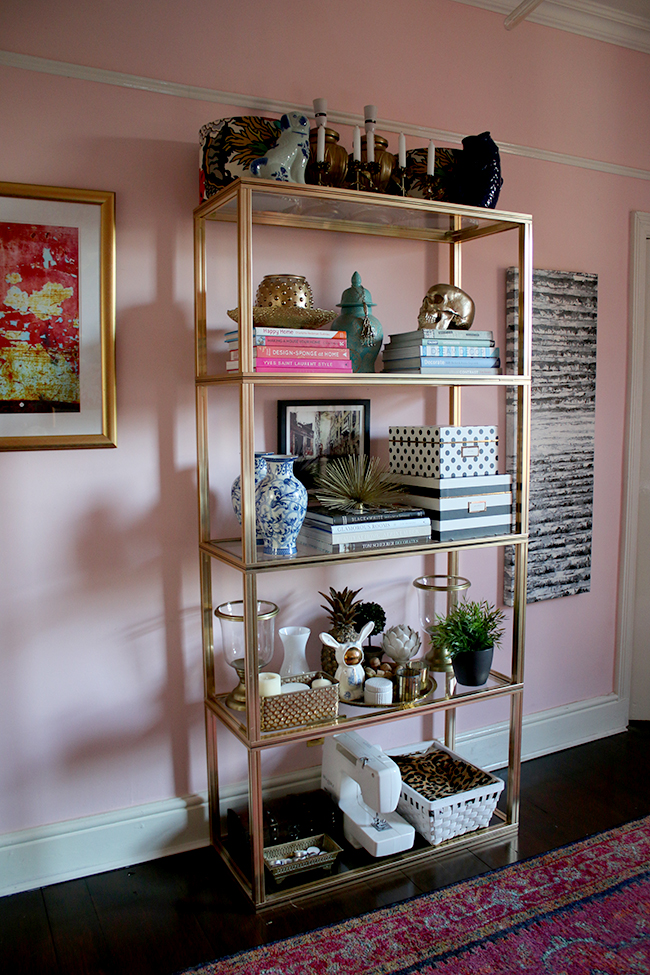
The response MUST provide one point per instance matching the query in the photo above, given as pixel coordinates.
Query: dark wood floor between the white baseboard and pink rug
(160, 917)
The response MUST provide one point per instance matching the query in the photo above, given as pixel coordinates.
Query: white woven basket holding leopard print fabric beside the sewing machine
(444, 796)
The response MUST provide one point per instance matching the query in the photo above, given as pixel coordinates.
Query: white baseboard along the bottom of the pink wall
(80, 847)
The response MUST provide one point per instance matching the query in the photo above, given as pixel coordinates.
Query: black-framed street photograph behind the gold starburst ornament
(319, 430)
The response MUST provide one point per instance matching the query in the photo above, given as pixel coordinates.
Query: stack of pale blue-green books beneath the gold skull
(432, 351)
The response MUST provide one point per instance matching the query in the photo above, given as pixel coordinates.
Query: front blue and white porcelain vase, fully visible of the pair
(281, 504)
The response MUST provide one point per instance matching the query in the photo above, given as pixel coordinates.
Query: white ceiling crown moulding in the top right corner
(595, 20)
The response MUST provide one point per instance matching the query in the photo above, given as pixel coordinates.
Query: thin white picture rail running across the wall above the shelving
(103, 76)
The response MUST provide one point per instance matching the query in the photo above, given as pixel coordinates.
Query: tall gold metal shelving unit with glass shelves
(253, 202)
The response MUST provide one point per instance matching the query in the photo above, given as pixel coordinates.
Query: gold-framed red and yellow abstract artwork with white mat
(57, 317)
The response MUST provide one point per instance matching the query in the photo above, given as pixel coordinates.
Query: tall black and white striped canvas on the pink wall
(565, 307)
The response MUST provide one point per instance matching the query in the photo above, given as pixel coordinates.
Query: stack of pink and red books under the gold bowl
(293, 350)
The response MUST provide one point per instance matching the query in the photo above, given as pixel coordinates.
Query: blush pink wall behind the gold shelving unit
(100, 695)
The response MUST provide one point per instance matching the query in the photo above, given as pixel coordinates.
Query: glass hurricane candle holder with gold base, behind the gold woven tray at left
(231, 618)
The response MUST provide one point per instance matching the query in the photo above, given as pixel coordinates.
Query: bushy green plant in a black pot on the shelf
(468, 634)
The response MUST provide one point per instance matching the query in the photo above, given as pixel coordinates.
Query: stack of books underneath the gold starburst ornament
(331, 531)
